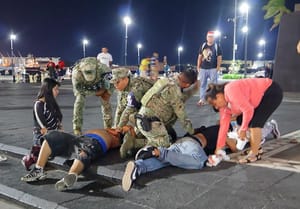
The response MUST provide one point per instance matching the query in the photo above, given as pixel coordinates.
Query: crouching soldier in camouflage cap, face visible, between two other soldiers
(131, 91)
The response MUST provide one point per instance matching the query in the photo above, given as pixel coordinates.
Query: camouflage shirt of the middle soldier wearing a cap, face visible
(129, 100)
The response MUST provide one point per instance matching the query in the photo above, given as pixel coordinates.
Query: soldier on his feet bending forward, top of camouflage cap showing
(90, 77)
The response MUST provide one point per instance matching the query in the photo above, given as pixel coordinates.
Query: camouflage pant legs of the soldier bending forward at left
(78, 112)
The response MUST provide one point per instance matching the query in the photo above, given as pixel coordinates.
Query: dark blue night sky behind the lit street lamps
(56, 28)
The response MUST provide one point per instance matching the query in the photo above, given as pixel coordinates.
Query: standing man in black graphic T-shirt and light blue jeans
(209, 63)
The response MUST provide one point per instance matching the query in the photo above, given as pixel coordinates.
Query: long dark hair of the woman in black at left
(46, 92)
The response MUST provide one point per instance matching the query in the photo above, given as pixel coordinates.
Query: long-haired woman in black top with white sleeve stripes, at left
(46, 116)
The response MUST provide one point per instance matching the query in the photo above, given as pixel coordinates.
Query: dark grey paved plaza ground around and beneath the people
(270, 183)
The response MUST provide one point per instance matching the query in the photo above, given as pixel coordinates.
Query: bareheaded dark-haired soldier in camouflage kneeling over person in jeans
(163, 104)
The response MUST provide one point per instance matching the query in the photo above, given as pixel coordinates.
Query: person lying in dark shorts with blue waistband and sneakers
(90, 146)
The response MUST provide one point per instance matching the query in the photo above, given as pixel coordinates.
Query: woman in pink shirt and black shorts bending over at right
(252, 101)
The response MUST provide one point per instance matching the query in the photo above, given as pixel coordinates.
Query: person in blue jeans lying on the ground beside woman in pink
(188, 152)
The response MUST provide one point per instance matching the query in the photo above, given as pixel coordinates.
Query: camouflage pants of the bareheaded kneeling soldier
(158, 136)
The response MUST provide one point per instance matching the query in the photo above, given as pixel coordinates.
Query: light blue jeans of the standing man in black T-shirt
(212, 74)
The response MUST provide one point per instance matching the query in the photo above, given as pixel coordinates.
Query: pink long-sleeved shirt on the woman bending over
(242, 96)
